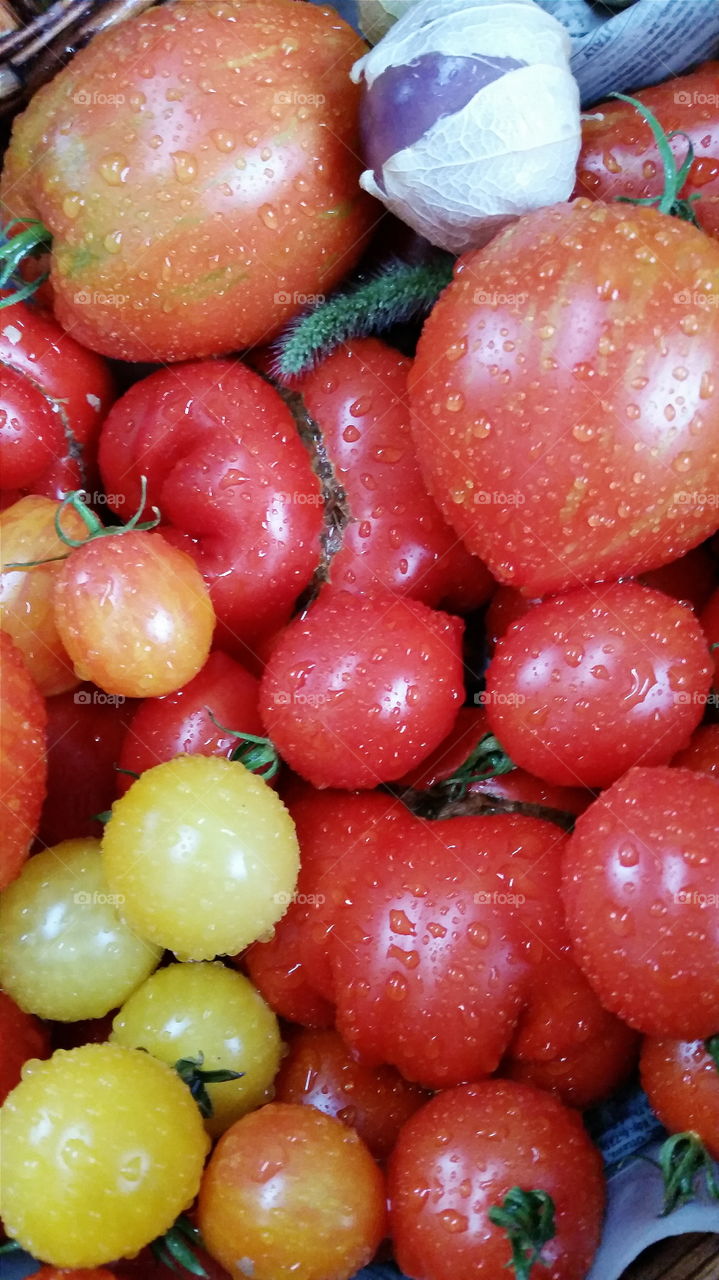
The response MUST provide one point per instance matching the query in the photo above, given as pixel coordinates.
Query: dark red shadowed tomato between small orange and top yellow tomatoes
(85, 737)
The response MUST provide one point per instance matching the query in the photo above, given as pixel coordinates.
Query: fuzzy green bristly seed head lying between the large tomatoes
(399, 294)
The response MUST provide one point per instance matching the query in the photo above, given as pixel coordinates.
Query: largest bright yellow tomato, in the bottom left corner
(103, 1148)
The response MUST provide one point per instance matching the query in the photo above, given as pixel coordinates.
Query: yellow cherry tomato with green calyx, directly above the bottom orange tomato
(191, 1009)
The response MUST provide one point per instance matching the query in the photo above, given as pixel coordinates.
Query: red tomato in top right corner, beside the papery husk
(620, 156)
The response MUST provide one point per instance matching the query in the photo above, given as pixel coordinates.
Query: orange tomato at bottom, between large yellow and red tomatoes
(292, 1194)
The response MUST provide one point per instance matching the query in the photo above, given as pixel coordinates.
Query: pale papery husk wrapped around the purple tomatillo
(510, 149)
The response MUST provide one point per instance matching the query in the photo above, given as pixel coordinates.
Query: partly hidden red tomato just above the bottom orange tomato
(320, 1072)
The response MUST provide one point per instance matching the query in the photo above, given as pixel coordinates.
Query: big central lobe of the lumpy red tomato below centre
(433, 948)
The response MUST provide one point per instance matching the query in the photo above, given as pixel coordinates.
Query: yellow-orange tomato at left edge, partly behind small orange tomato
(26, 595)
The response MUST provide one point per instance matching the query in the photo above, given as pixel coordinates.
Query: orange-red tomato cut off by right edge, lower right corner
(681, 1081)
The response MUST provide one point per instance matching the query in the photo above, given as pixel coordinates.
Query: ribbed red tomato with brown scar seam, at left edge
(54, 395)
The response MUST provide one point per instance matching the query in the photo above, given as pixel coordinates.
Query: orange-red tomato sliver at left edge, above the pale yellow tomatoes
(24, 766)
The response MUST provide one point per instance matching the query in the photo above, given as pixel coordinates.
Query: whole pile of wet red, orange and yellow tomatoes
(360, 753)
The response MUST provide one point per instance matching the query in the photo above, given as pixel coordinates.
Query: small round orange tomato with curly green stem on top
(134, 615)
